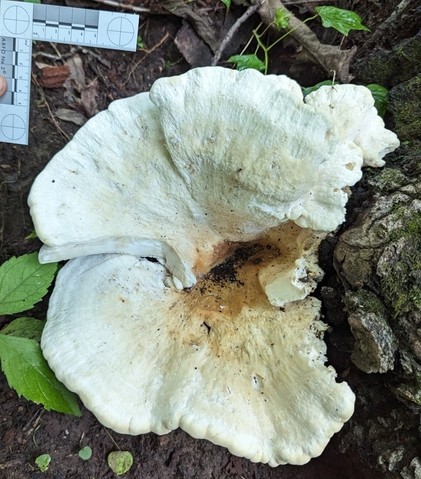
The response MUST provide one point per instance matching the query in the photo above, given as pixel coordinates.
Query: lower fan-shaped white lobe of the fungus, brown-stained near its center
(217, 361)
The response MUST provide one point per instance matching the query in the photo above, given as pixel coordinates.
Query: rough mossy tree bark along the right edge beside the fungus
(378, 259)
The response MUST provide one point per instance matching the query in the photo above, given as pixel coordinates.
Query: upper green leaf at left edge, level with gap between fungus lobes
(24, 282)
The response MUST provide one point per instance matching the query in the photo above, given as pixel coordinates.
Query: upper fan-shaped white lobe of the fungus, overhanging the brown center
(207, 159)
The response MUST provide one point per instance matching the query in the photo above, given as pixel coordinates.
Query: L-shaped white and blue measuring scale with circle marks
(22, 22)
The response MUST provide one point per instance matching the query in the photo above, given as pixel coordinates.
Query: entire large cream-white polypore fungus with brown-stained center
(209, 164)
